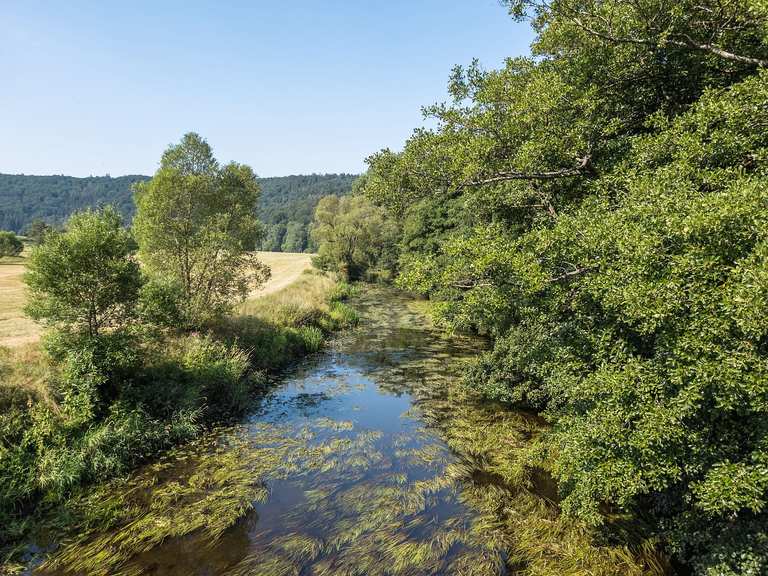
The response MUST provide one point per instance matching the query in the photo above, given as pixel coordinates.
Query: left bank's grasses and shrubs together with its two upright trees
(139, 358)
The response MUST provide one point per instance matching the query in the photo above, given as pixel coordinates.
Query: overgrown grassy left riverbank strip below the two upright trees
(70, 419)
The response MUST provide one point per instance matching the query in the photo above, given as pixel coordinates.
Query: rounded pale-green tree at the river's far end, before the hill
(354, 237)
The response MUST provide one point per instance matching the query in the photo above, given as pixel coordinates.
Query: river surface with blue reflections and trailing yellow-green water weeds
(359, 462)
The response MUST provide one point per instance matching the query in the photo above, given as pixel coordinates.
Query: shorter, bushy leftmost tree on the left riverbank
(85, 279)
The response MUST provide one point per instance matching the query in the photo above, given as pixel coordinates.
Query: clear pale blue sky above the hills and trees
(285, 86)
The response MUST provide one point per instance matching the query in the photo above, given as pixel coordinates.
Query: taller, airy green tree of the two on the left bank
(195, 223)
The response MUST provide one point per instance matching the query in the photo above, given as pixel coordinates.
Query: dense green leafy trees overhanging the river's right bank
(600, 210)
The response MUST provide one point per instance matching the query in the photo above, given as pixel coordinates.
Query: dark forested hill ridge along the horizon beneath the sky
(286, 207)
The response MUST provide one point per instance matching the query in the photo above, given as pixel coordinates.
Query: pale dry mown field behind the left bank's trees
(16, 329)
